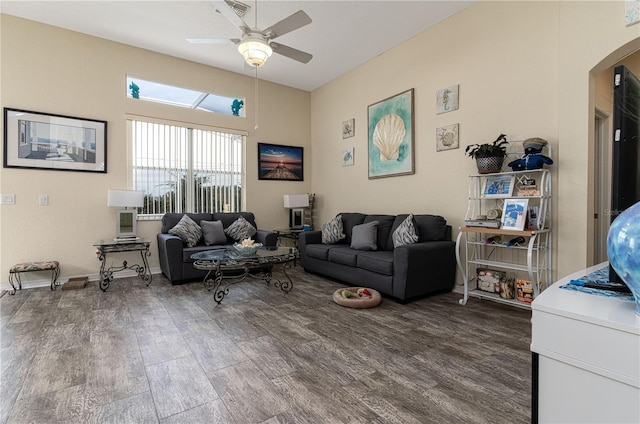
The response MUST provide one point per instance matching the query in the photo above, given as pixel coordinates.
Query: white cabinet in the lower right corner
(586, 357)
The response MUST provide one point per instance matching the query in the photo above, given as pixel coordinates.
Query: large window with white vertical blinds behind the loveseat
(183, 169)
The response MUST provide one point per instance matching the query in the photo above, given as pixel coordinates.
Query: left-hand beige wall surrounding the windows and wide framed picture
(67, 73)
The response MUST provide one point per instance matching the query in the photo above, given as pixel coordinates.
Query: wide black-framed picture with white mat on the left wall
(54, 142)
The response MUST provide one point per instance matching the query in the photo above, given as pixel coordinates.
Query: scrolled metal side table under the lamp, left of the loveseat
(111, 246)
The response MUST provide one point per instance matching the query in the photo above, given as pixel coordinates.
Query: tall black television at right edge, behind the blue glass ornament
(625, 170)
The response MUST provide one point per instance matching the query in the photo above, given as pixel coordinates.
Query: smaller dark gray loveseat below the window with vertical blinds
(175, 257)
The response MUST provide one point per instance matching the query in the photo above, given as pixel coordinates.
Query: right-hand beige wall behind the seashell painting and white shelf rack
(523, 69)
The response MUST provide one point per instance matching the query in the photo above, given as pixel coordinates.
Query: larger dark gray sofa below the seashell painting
(402, 273)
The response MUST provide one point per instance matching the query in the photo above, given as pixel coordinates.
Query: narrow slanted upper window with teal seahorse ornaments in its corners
(138, 88)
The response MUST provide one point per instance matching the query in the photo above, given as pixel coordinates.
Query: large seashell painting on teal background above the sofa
(391, 140)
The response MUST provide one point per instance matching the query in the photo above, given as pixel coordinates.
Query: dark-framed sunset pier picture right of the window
(277, 162)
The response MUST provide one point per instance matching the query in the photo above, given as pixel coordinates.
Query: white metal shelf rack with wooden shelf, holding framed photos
(495, 249)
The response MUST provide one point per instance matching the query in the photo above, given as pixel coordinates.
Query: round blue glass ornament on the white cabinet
(623, 248)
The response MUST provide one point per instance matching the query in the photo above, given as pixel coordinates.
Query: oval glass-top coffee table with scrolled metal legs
(231, 266)
